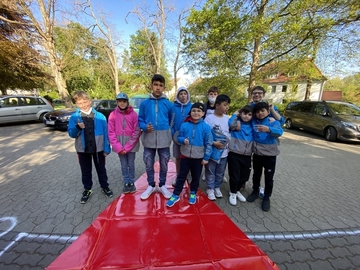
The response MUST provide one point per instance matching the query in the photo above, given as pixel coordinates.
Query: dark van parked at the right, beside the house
(332, 119)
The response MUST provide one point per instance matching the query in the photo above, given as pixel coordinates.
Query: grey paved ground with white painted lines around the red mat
(314, 221)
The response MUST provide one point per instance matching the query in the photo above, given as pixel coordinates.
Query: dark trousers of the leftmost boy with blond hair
(85, 161)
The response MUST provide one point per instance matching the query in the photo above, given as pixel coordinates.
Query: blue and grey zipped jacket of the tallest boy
(160, 113)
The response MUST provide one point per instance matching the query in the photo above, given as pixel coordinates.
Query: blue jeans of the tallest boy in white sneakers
(149, 160)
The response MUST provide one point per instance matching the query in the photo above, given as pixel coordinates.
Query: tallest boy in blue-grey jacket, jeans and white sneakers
(156, 116)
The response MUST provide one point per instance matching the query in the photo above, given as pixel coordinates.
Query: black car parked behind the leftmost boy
(59, 119)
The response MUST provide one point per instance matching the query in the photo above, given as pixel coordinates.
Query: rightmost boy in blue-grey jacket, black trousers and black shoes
(265, 151)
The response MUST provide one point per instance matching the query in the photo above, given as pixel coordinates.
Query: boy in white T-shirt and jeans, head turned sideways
(215, 169)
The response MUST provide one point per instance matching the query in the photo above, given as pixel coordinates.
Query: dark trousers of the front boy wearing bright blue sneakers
(195, 167)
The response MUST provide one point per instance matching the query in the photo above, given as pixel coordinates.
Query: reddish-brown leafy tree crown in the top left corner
(21, 66)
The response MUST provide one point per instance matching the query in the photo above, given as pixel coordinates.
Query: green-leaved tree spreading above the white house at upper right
(240, 37)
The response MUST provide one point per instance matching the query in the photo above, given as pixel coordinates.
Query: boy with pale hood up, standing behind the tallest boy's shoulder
(182, 106)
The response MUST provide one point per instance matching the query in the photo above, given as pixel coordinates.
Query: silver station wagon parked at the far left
(23, 108)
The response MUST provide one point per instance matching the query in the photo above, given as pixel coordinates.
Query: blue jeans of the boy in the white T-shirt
(214, 173)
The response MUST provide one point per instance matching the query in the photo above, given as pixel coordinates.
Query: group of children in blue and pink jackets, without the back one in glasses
(202, 135)
